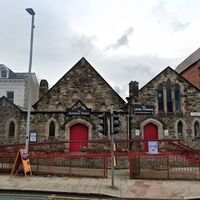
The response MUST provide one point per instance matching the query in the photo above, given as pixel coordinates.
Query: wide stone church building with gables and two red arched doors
(167, 107)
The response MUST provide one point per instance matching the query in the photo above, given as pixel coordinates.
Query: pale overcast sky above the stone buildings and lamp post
(123, 40)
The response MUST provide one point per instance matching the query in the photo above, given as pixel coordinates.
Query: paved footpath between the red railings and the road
(123, 187)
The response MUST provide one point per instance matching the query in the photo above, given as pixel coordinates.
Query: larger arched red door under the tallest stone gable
(78, 132)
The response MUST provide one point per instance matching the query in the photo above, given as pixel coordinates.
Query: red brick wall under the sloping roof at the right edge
(192, 74)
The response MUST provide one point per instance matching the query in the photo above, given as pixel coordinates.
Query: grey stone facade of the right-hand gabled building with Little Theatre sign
(167, 121)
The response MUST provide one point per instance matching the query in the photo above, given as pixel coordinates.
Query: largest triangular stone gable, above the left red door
(82, 82)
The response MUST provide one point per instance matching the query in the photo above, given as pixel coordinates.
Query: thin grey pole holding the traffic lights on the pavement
(112, 146)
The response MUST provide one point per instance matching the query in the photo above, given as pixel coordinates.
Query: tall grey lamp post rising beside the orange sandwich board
(32, 13)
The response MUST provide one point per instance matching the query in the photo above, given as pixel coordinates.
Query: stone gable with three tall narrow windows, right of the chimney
(168, 92)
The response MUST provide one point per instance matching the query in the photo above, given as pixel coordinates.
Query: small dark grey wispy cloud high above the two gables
(123, 40)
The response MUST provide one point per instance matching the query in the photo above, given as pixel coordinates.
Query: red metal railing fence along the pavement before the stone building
(173, 161)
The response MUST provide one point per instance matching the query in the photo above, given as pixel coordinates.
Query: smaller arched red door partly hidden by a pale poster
(150, 133)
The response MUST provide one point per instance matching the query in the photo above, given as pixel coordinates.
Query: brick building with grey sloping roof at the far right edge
(190, 68)
